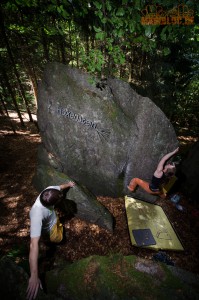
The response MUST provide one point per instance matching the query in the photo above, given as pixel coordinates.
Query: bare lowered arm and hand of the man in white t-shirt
(34, 281)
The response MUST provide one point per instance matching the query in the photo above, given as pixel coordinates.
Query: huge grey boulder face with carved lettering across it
(100, 135)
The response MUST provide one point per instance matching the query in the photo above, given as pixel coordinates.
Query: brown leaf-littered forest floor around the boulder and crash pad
(18, 159)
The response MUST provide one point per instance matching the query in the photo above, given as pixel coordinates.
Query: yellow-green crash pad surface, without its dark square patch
(143, 215)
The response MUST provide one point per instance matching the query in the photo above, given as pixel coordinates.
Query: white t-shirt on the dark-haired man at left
(42, 218)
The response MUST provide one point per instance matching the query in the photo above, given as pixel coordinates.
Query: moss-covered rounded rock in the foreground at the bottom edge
(121, 278)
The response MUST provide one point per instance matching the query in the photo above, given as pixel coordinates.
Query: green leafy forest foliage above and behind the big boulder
(104, 38)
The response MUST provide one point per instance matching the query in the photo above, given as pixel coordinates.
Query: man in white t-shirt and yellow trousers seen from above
(43, 221)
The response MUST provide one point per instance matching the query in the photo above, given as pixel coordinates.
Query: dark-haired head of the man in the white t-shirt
(50, 197)
